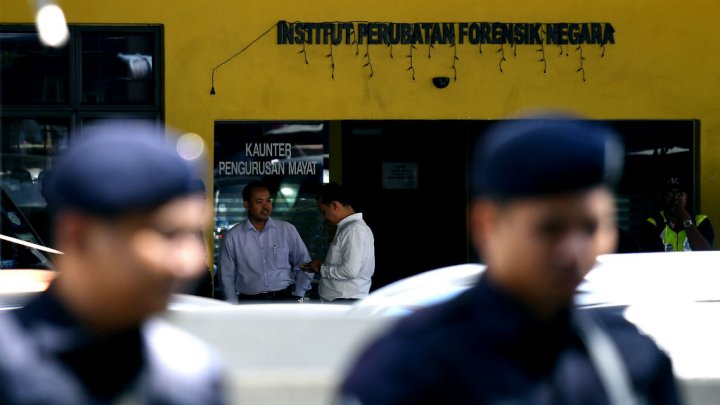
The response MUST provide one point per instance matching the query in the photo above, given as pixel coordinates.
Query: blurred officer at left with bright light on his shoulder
(127, 218)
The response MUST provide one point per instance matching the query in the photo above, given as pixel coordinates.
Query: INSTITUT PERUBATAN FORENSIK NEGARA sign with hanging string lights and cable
(358, 32)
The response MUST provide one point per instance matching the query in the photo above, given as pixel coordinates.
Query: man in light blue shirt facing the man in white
(261, 257)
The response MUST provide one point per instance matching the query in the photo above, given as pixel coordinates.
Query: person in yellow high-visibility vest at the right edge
(674, 229)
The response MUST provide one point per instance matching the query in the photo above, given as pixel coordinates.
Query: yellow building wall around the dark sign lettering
(663, 66)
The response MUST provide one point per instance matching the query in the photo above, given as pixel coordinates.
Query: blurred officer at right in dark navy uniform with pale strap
(542, 211)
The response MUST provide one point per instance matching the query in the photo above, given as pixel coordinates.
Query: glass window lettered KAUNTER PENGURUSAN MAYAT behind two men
(291, 158)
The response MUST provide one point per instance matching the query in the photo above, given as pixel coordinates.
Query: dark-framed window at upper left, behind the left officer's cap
(46, 94)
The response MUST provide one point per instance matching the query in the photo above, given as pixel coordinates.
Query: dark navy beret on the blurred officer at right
(544, 156)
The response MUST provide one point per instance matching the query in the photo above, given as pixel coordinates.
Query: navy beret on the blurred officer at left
(118, 167)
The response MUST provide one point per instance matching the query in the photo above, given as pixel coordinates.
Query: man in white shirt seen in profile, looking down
(346, 273)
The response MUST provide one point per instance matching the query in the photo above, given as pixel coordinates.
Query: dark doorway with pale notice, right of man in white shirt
(418, 216)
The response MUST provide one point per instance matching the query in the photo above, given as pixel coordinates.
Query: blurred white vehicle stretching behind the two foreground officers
(297, 354)
